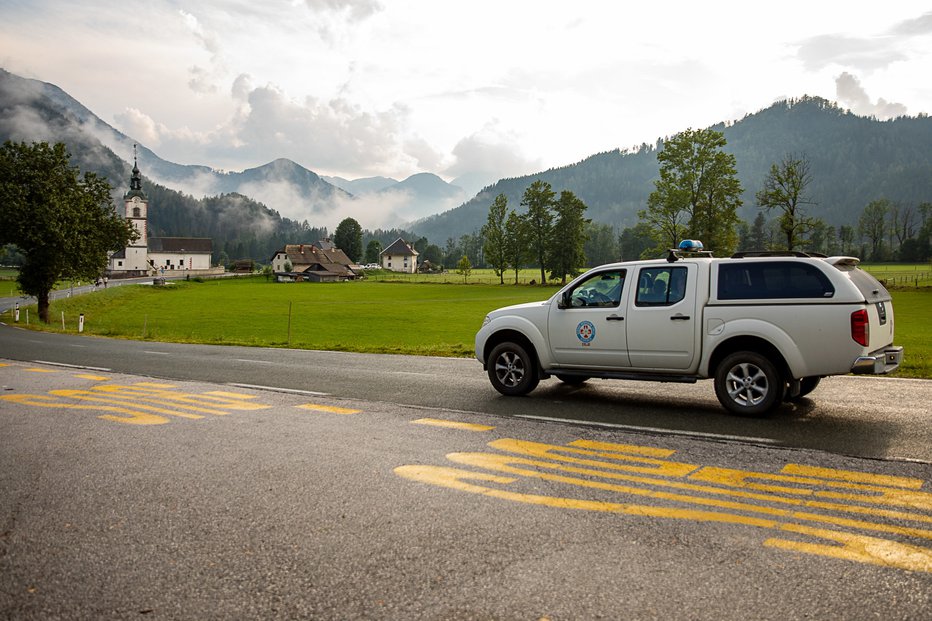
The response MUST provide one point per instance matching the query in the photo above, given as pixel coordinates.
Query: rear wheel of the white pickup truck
(748, 384)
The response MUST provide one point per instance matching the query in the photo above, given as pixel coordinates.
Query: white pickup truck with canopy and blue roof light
(765, 326)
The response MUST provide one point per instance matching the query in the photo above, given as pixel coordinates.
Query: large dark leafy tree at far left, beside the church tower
(64, 224)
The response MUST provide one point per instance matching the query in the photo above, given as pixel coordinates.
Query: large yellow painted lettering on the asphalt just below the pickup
(782, 501)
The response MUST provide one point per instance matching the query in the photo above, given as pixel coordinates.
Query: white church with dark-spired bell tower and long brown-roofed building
(148, 256)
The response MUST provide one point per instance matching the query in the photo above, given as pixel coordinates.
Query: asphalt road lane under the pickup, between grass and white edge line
(882, 418)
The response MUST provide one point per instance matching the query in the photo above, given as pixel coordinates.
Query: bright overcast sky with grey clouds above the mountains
(359, 88)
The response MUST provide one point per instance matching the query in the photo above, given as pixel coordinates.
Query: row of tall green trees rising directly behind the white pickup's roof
(698, 194)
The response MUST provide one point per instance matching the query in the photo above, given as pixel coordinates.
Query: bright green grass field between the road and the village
(366, 316)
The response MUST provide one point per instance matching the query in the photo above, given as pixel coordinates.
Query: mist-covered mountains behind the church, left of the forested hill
(31, 110)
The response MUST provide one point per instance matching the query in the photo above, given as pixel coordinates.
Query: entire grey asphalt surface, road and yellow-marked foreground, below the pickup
(160, 481)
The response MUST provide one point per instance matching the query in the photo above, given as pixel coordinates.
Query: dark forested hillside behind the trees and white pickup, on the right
(855, 160)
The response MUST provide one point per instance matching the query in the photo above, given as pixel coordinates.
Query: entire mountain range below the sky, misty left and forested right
(854, 160)
